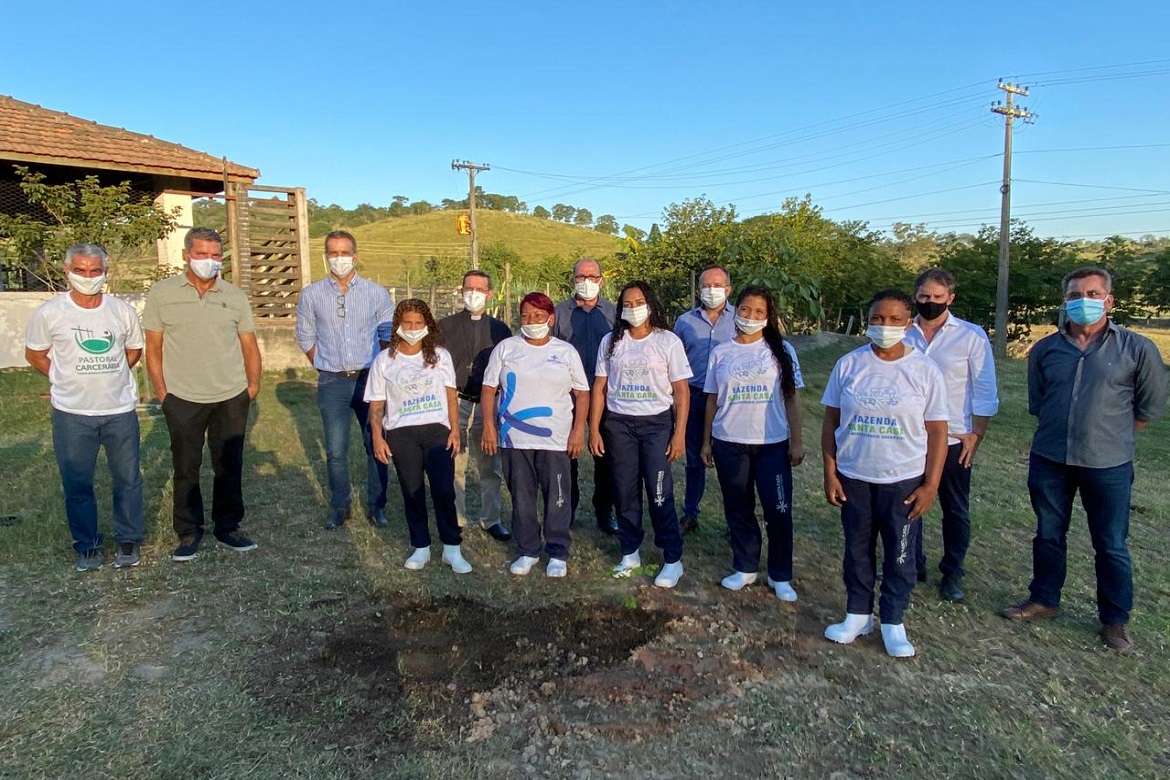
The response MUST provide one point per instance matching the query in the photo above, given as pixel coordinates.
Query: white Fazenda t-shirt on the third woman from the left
(641, 371)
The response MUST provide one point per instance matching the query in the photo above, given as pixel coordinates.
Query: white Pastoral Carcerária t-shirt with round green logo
(88, 371)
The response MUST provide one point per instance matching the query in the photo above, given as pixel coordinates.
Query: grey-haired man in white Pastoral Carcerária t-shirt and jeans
(87, 344)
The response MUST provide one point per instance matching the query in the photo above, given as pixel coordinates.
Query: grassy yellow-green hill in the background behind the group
(393, 249)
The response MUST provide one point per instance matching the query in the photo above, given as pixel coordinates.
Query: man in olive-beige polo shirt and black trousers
(204, 362)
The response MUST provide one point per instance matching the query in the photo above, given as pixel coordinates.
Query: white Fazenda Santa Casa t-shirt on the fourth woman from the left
(749, 402)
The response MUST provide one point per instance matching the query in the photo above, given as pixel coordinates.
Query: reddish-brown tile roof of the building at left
(32, 134)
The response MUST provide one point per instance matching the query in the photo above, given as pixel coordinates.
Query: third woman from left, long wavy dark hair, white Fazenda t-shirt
(642, 388)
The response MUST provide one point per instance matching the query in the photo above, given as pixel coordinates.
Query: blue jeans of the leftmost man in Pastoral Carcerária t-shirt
(77, 439)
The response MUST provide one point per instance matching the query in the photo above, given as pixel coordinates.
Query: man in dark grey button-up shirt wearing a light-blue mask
(1092, 388)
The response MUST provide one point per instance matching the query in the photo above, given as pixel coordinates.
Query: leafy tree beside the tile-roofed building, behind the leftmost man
(116, 217)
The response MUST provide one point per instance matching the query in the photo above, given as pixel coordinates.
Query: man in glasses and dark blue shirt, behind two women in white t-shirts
(583, 321)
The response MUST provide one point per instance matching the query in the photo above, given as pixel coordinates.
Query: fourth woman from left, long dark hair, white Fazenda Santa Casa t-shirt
(753, 438)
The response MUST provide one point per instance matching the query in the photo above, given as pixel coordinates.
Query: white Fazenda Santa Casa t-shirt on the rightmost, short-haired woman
(885, 406)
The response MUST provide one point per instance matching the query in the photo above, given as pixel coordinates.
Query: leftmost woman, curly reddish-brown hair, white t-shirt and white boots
(412, 391)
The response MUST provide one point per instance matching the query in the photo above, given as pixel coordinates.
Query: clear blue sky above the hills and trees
(880, 112)
